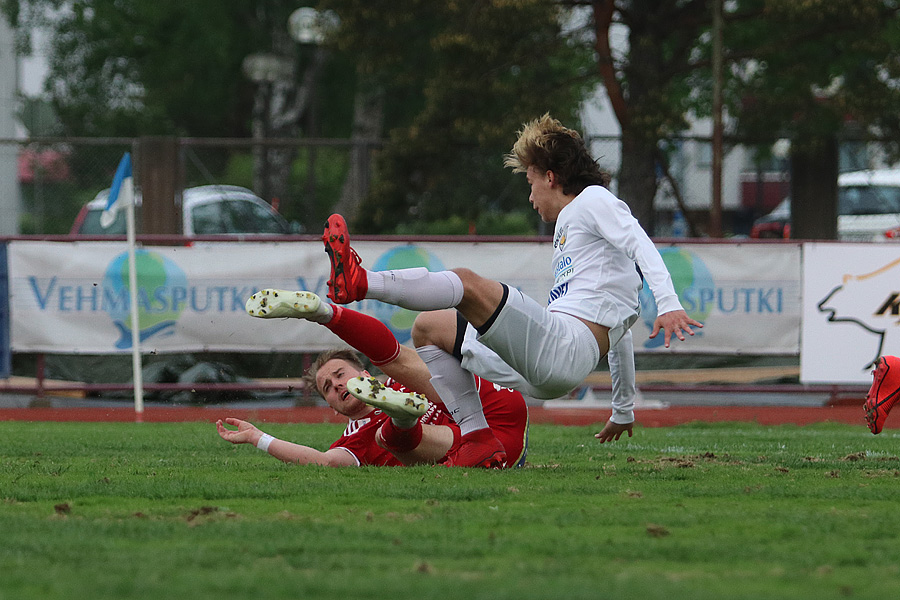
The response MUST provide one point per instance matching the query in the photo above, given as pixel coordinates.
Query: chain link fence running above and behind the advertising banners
(308, 179)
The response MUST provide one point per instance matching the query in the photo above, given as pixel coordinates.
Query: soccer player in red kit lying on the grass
(390, 430)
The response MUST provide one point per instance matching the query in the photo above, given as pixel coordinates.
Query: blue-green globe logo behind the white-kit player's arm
(689, 274)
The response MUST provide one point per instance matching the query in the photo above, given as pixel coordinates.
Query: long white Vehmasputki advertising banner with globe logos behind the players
(73, 297)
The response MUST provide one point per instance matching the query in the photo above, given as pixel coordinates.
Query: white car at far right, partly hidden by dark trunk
(868, 209)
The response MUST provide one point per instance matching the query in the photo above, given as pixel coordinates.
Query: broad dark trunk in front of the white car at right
(814, 173)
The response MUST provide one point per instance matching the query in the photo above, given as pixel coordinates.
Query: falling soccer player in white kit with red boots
(510, 339)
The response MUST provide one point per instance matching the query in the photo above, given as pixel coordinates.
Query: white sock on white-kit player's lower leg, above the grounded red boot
(456, 387)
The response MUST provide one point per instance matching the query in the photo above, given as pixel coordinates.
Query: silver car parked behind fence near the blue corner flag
(205, 210)
